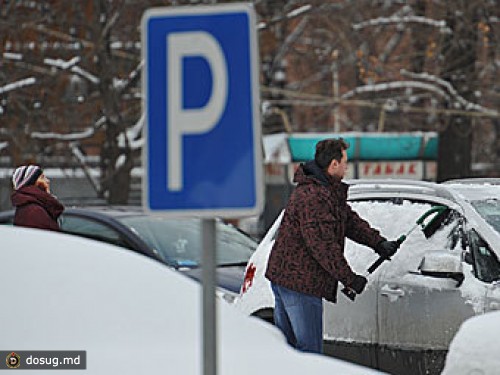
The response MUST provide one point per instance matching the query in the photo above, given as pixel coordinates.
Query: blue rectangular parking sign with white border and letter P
(203, 153)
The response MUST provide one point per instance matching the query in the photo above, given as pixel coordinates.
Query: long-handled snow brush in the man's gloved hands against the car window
(441, 213)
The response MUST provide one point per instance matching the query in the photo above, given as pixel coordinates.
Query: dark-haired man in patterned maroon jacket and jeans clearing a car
(307, 260)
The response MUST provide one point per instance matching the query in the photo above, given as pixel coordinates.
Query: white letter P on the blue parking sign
(183, 121)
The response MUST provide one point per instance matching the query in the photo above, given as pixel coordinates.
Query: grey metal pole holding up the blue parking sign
(209, 302)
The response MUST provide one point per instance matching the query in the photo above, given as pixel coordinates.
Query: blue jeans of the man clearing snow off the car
(300, 317)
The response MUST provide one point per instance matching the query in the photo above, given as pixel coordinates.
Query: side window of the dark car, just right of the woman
(92, 229)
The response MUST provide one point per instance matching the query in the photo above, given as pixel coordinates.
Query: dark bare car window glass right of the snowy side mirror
(485, 262)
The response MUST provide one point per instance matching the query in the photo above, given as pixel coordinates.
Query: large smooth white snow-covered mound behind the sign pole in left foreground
(131, 315)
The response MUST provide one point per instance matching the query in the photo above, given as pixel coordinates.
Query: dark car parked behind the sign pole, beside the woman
(174, 242)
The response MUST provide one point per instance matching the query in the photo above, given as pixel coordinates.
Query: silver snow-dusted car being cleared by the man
(446, 271)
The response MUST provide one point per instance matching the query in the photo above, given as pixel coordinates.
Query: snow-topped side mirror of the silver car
(442, 264)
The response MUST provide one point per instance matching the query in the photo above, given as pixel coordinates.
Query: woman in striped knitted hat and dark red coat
(35, 206)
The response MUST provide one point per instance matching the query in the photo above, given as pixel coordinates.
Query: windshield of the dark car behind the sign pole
(179, 241)
